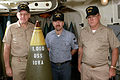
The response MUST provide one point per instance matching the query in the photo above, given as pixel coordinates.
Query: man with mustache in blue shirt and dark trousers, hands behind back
(62, 45)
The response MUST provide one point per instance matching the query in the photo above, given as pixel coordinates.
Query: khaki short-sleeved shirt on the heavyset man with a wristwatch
(96, 45)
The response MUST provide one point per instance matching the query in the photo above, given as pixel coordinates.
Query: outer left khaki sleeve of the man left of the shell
(8, 35)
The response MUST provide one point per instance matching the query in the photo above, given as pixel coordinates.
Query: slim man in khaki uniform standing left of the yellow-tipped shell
(16, 42)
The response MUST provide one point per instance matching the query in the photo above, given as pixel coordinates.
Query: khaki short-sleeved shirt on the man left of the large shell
(18, 38)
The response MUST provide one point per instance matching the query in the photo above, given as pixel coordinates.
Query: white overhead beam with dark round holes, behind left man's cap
(10, 6)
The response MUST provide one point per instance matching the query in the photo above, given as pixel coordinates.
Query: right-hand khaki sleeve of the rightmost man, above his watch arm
(113, 40)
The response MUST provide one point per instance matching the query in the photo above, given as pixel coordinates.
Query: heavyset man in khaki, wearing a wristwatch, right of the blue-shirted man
(94, 43)
